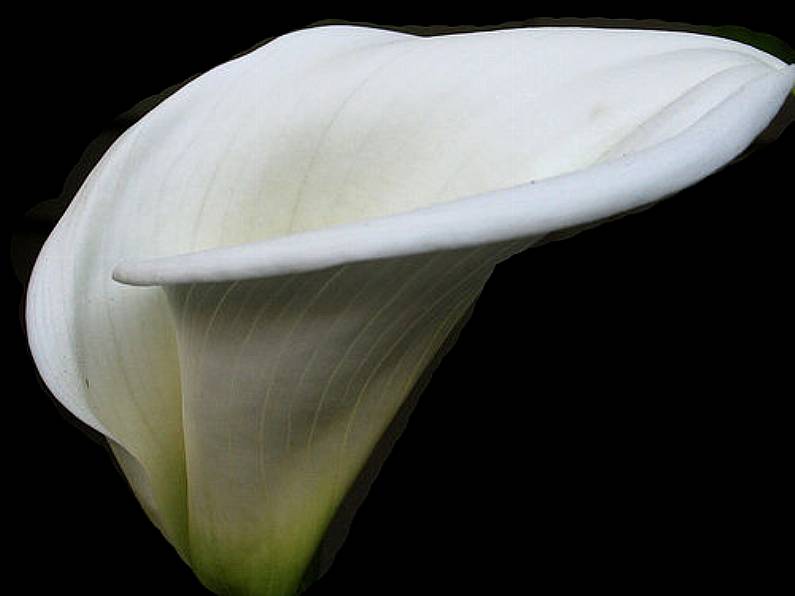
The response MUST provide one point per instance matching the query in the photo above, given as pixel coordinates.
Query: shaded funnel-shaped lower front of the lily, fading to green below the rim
(287, 385)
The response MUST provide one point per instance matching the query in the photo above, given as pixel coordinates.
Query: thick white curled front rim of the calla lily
(527, 210)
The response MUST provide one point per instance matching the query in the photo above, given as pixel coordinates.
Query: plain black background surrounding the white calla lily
(612, 416)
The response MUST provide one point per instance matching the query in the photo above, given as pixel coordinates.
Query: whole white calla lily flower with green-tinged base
(255, 275)
